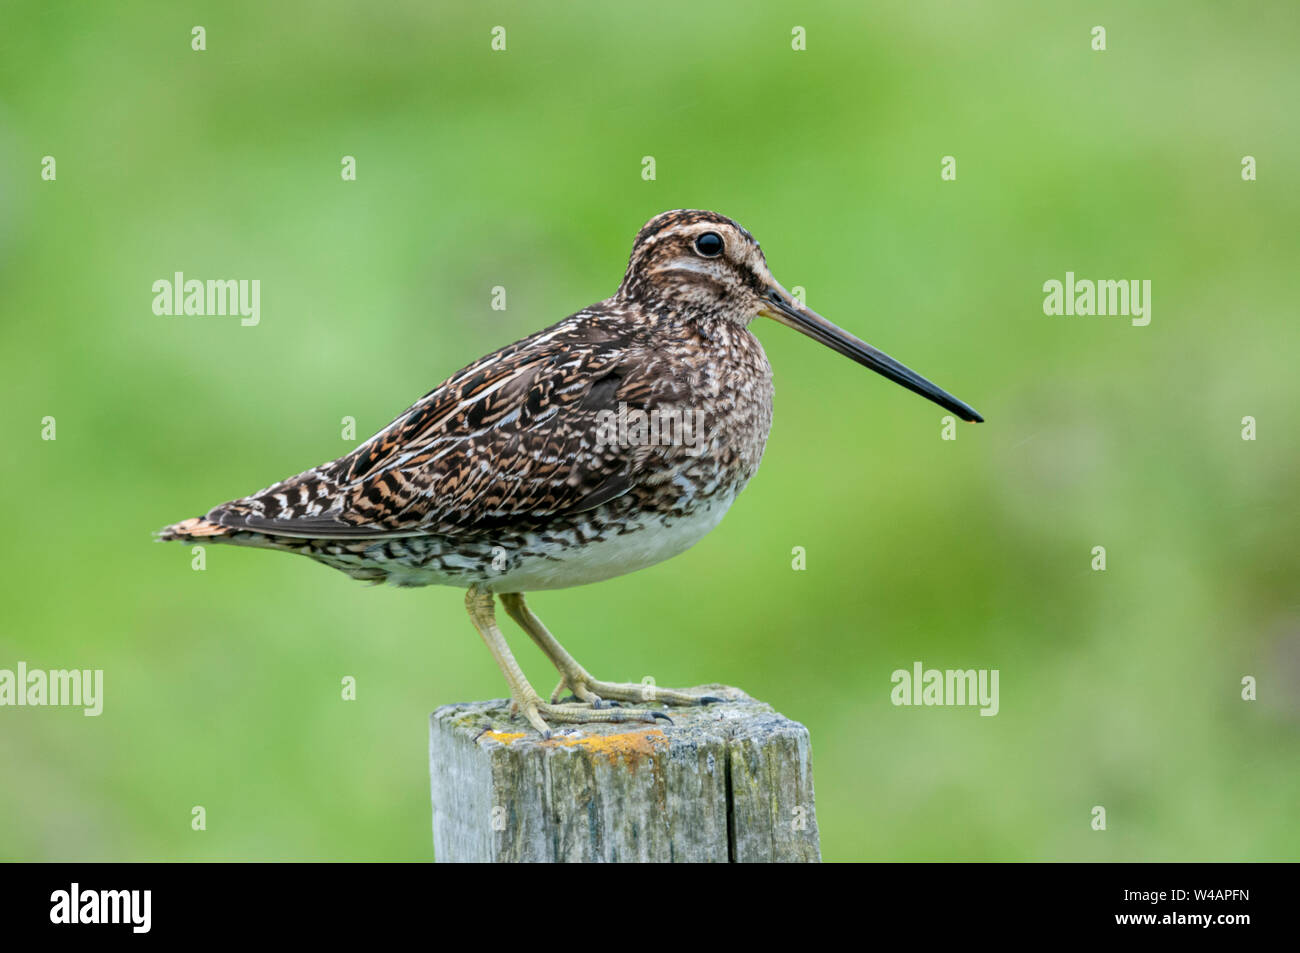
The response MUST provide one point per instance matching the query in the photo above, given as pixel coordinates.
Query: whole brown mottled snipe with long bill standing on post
(521, 473)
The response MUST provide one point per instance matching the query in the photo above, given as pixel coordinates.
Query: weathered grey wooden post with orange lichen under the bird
(731, 782)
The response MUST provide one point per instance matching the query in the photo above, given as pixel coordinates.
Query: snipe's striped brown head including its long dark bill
(704, 266)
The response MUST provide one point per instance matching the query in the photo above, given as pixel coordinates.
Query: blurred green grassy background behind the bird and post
(523, 170)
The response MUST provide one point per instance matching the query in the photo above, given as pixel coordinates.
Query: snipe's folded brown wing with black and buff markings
(512, 437)
